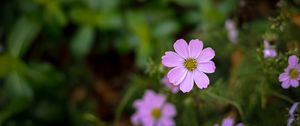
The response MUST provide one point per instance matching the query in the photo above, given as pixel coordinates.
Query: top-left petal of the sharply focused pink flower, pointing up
(181, 47)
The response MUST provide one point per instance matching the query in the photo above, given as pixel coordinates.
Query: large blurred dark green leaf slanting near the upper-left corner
(21, 36)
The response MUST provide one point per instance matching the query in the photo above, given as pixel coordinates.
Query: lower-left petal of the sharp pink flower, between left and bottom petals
(176, 75)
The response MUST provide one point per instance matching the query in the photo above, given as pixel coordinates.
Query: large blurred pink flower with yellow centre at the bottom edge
(153, 110)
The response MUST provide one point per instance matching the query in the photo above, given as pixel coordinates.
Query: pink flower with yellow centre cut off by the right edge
(291, 75)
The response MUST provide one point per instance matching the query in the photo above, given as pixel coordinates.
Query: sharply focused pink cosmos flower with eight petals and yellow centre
(189, 62)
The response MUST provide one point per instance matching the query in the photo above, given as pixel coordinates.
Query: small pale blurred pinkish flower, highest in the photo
(232, 31)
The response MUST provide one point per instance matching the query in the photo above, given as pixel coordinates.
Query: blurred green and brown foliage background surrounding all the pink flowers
(83, 62)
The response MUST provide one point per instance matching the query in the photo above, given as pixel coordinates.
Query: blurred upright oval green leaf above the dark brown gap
(82, 42)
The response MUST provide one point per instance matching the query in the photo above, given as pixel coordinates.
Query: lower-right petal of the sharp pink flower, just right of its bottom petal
(201, 80)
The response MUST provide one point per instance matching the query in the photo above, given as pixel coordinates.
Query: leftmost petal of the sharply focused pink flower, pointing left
(172, 59)
